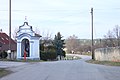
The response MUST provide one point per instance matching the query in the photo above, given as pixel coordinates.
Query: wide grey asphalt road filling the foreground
(63, 70)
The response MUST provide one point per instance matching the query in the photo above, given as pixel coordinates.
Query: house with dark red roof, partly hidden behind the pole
(4, 44)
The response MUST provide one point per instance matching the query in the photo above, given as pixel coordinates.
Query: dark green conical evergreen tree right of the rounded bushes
(59, 44)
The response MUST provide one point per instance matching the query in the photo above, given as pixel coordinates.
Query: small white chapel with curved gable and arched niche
(28, 41)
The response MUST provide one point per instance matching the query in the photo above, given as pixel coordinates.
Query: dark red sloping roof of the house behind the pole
(4, 42)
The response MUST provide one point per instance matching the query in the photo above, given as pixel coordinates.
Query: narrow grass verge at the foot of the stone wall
(109, 63)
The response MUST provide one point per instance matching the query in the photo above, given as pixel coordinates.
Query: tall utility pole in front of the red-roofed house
(10, 28)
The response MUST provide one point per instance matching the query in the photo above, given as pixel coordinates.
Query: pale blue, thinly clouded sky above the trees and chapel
(66, 16)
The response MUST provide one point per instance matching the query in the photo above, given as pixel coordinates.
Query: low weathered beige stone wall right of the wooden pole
(108, 54)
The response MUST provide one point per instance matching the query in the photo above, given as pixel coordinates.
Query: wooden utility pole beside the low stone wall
(92, 46)
